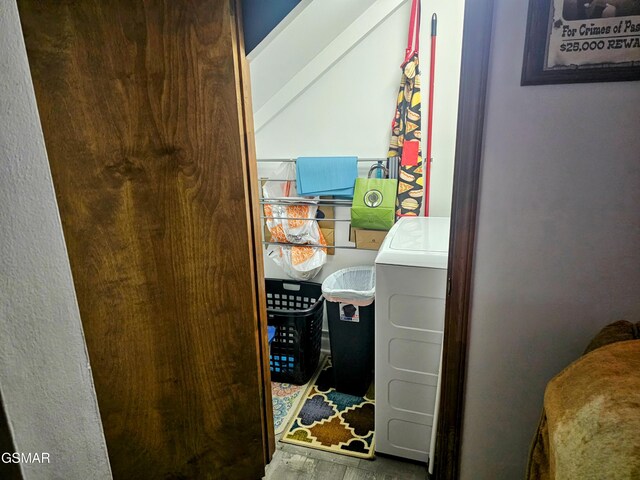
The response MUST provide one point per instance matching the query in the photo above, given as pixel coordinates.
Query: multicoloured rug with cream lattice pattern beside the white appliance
(333, 421)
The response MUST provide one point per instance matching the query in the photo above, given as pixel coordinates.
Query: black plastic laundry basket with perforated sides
(296, 310)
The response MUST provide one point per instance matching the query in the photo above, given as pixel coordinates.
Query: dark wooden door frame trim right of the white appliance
(476, 46)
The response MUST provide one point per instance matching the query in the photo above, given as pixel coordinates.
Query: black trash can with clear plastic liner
(349, 295)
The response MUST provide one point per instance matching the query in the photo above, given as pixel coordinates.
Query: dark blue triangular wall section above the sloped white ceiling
(262, 16)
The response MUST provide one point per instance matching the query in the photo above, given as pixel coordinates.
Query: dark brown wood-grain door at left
(144, 116)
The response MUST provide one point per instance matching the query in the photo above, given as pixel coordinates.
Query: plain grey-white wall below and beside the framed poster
(558, 244)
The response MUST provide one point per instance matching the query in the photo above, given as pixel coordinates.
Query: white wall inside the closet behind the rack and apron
(349, 108)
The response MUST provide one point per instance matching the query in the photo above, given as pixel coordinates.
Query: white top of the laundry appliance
(417, 242)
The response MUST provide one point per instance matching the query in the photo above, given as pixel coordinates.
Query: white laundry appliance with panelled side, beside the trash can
(411, 284)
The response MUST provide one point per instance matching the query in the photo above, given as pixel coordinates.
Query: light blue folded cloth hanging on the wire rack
(335, 176)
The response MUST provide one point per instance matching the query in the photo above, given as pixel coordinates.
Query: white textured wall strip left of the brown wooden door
(45, 379)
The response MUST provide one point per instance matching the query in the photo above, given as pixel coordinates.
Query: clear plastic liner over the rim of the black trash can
(354, 285)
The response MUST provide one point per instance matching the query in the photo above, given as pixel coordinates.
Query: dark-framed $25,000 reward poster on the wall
(572, 41)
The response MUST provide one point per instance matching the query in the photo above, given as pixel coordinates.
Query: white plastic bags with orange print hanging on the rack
(290, 224)
